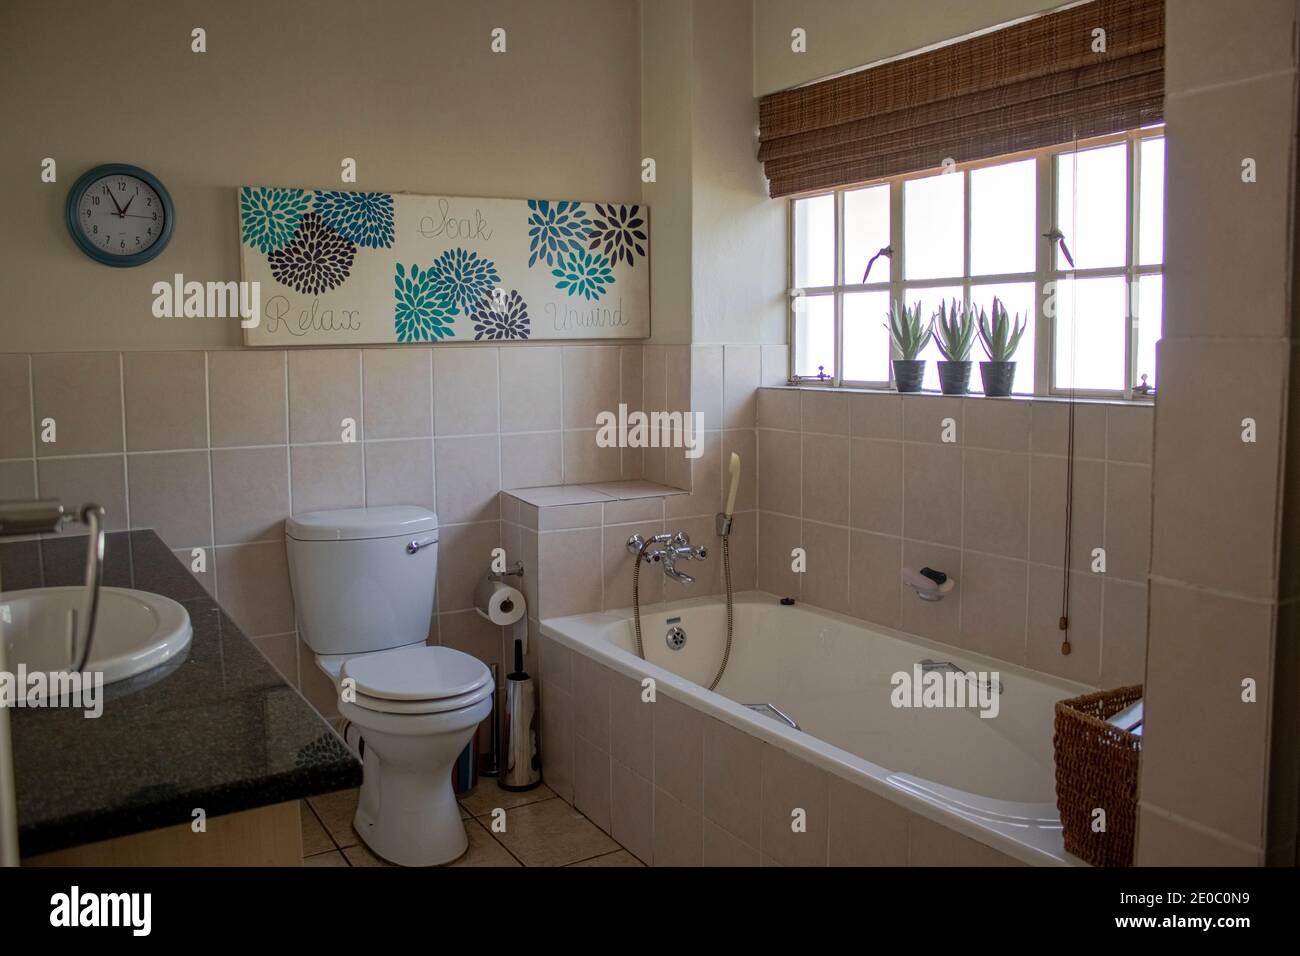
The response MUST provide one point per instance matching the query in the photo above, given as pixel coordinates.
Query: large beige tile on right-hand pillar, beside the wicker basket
(1204, 750)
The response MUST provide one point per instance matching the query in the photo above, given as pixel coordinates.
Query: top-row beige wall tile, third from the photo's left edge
(167, 403)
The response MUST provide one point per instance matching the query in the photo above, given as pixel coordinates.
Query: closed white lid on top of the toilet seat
(417, 673)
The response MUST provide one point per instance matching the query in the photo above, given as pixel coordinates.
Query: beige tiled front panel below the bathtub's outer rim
(679, 788)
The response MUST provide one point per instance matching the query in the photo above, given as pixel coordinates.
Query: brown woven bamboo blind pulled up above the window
(1026, 86)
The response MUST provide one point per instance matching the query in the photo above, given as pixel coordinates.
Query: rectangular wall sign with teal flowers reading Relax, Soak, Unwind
(340, 267)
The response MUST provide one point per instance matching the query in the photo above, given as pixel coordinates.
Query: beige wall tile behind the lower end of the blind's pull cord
(1043, 651)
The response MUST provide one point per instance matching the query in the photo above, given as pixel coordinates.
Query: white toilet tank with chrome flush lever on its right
(358, 585)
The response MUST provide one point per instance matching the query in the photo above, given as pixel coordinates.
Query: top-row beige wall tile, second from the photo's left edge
(83, 393)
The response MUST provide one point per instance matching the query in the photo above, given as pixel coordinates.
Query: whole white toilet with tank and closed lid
(363, 583)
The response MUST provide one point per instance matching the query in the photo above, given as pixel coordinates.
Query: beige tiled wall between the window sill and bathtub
(866, 485)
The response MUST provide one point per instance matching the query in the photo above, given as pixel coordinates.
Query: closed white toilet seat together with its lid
(418, 680)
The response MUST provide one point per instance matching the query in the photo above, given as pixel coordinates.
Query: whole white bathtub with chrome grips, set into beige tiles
(989, 778)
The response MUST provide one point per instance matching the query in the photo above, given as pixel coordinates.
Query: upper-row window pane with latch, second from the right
(1093, 207)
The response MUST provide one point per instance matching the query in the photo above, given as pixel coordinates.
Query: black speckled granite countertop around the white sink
(216, 728)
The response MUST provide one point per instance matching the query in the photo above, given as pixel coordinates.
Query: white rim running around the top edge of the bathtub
(925, 798)
